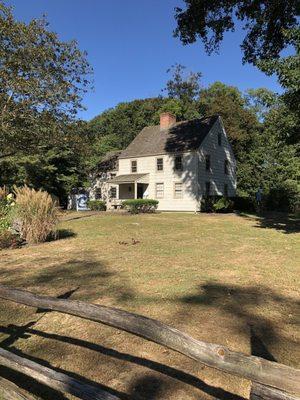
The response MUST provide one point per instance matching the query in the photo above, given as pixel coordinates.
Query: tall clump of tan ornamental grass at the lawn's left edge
(36, 214)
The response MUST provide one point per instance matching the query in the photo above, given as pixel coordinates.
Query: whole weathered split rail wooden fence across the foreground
(270, 380)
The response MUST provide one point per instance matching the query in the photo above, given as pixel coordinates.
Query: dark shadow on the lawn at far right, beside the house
(283, 222)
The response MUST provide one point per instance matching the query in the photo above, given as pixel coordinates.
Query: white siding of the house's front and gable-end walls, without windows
(193, 175)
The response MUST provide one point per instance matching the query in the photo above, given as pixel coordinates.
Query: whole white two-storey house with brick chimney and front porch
(176, 163)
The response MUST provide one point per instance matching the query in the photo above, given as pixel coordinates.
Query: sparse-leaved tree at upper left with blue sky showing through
(42, 81)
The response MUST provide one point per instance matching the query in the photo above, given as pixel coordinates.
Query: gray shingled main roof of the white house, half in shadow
(181, 137)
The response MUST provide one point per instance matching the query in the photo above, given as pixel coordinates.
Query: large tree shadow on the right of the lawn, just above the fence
(239, 302)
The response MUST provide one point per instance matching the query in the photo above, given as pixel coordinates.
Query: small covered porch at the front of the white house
(131, 186)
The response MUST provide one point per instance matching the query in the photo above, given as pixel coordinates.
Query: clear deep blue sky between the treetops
(130, 46)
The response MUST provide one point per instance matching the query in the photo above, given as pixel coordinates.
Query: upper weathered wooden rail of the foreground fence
(275, 379)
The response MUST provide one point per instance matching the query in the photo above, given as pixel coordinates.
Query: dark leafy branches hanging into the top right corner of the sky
(264, 23)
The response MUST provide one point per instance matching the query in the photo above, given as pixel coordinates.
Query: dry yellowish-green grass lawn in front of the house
(227, 279)
